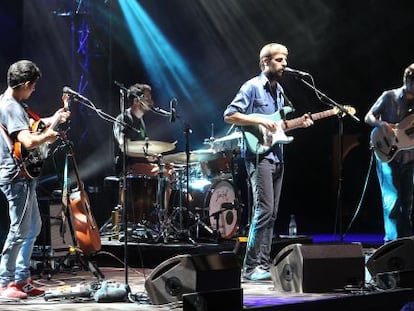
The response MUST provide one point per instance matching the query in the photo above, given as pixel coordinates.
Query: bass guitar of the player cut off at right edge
(386, 146)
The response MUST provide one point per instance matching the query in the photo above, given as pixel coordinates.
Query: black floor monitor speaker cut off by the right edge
(395, 255)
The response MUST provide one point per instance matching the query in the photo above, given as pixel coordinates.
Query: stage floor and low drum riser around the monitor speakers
(75, 286)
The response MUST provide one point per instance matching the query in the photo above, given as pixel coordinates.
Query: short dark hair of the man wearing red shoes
(21, 72)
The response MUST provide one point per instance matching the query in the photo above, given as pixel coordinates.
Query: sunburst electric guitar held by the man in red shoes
(31, 160)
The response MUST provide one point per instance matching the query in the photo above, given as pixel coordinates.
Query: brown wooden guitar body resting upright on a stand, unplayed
(87, 231)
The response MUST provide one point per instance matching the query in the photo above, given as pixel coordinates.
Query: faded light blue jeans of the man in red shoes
(25, 226)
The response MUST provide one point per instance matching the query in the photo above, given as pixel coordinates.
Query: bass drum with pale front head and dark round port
(213, 202)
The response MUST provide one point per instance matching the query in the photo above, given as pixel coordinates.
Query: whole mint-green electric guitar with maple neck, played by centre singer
(259, 140)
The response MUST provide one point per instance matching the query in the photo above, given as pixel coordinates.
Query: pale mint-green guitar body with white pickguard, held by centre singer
(259, 140)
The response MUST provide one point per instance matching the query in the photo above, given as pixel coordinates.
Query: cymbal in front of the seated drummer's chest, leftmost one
(140, 148)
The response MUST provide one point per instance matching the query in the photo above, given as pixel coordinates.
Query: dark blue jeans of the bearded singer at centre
(266, 180)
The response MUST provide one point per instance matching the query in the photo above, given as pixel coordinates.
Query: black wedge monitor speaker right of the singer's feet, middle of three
(318, 268)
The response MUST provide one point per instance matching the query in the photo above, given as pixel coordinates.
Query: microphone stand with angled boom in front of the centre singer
(327, 100)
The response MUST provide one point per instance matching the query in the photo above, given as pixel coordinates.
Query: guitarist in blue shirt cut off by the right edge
(396, 177)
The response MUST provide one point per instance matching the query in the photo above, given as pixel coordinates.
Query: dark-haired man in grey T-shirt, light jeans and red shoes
(20, 191)
